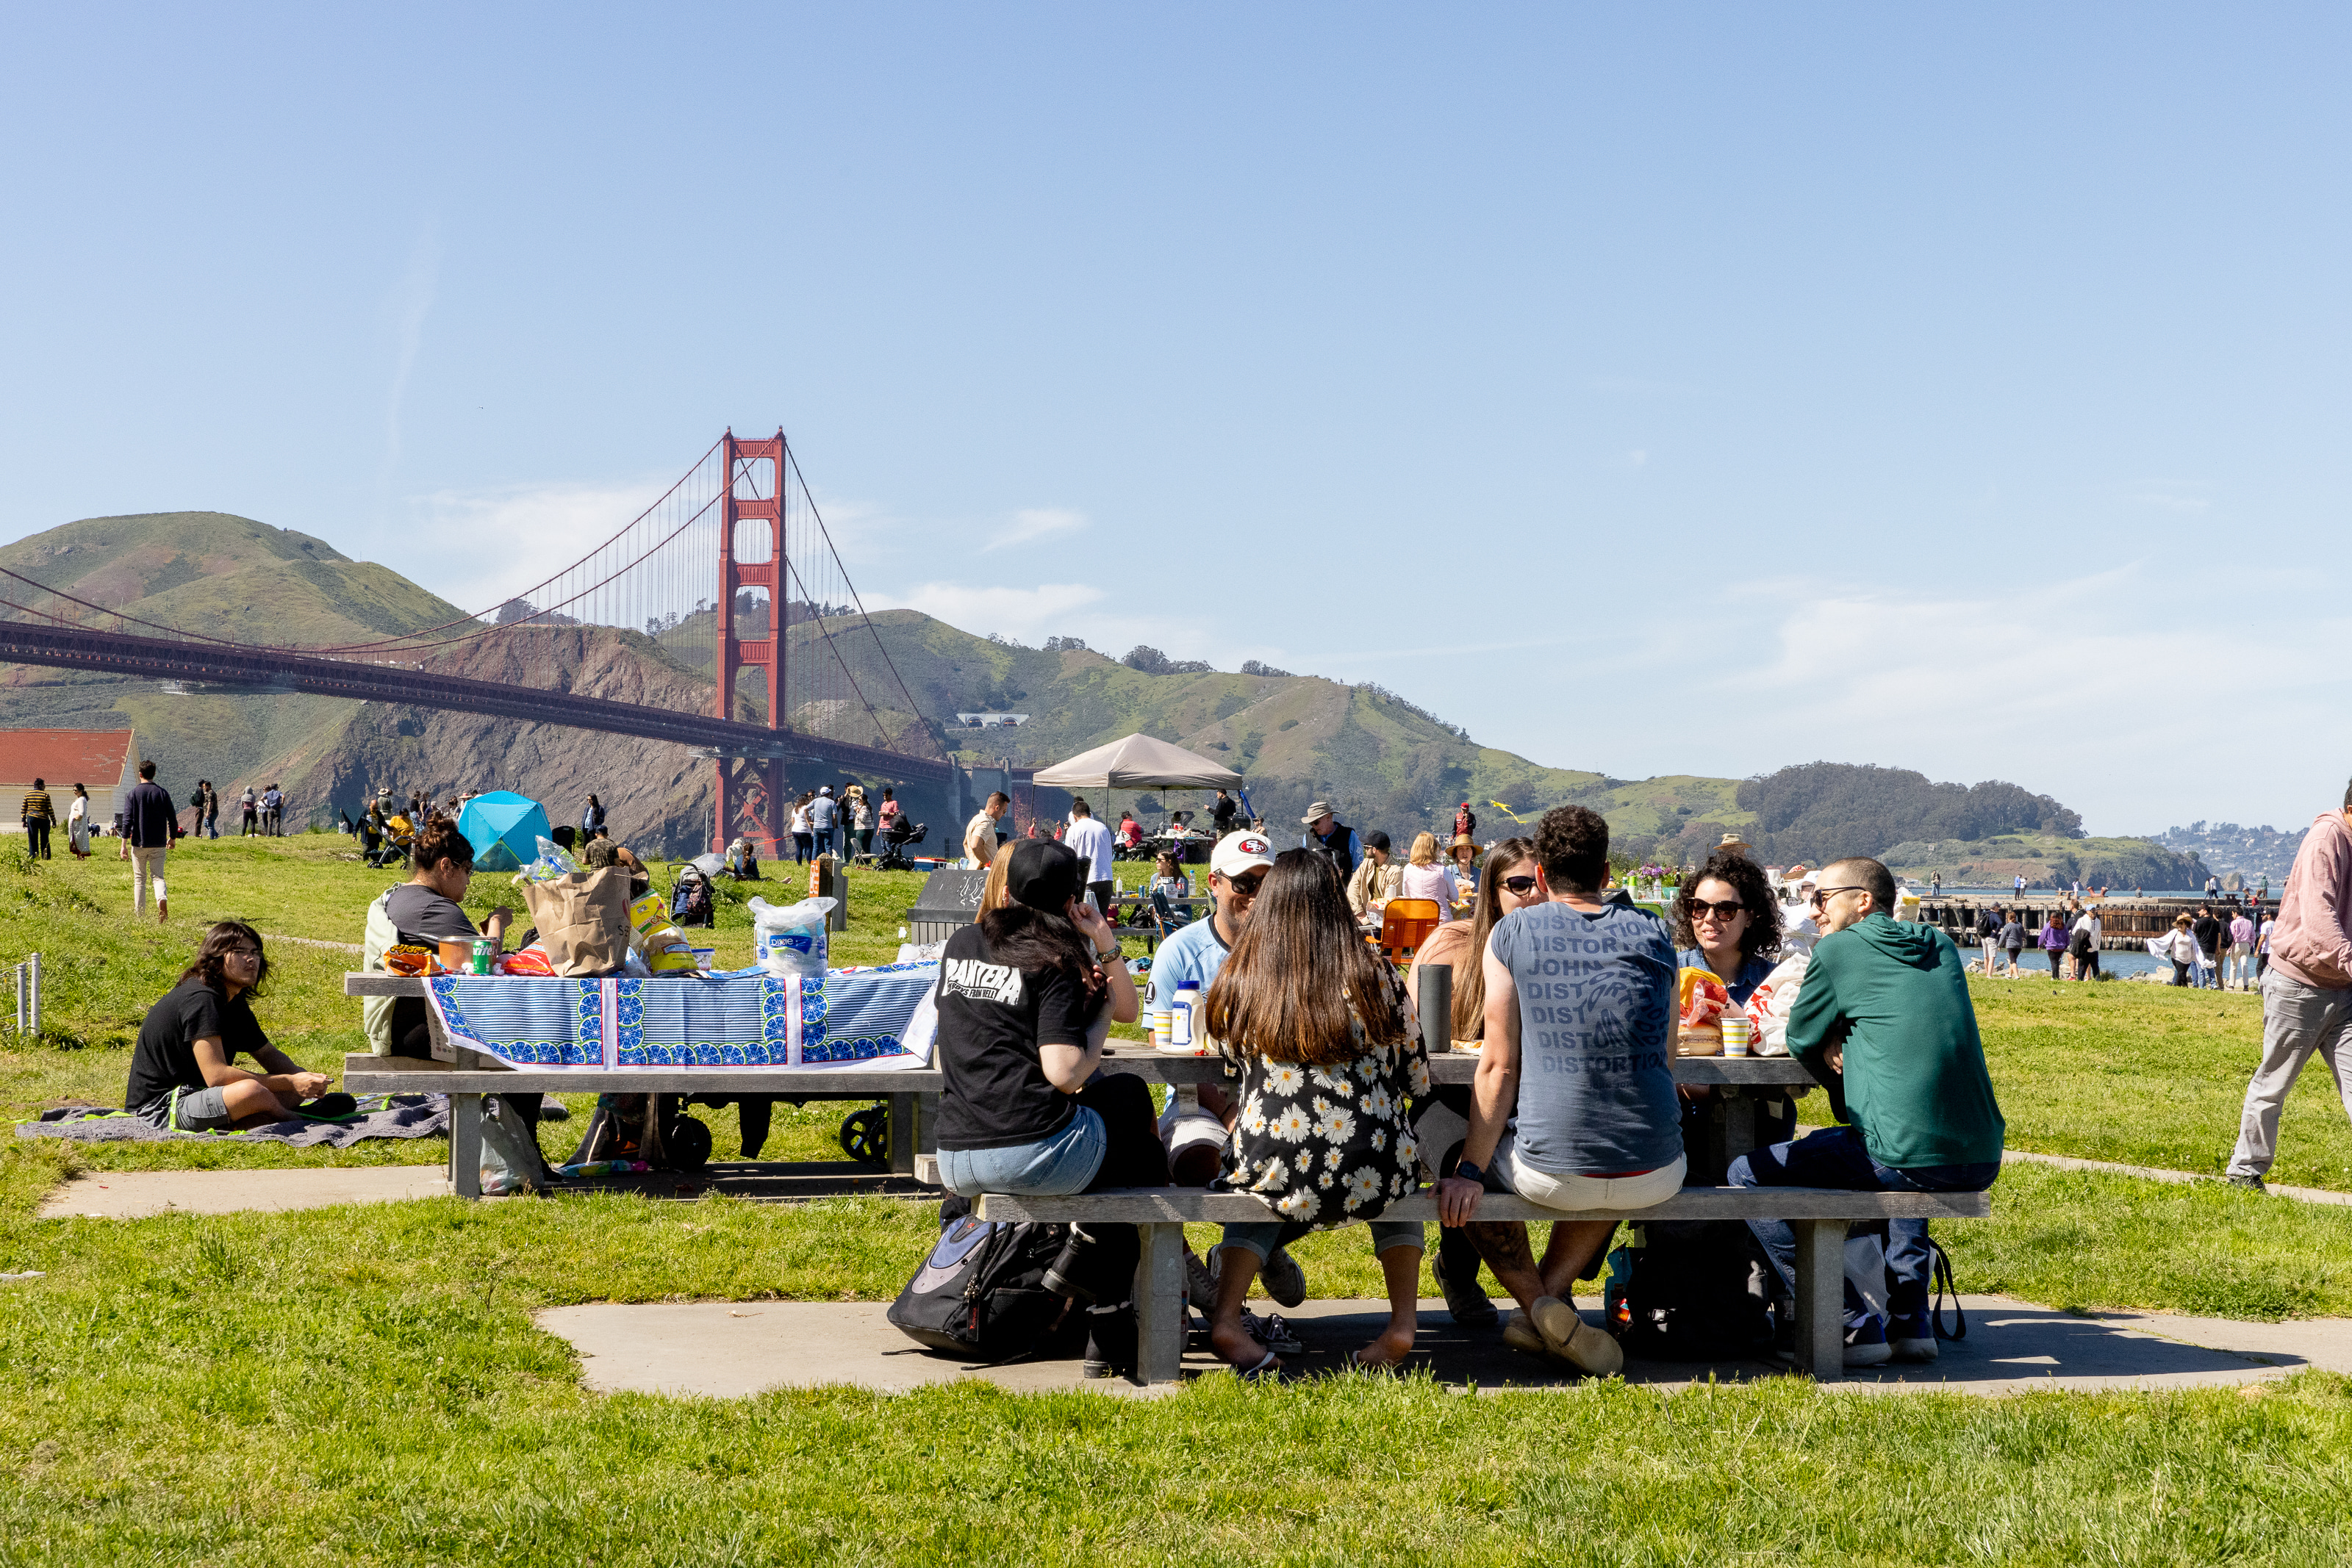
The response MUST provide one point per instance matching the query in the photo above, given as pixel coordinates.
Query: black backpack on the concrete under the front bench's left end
(982, 1292)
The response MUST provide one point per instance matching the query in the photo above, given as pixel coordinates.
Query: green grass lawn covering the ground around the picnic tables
(366, 1383)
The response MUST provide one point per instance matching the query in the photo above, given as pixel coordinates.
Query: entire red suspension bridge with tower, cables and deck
(730, 572)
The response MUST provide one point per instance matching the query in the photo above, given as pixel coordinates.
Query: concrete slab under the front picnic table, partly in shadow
(730, 1351)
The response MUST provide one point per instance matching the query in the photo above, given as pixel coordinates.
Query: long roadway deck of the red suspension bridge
(29, 643)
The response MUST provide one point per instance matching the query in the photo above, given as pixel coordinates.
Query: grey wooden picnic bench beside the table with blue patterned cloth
(469, 1076)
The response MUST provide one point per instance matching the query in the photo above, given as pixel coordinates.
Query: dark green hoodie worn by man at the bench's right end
(1916, 1071)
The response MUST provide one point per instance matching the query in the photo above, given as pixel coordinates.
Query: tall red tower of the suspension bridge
(751, 558)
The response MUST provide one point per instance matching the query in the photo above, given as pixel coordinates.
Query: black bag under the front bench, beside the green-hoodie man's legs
(1695, 1294)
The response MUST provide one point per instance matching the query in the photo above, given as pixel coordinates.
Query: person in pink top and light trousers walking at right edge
(2306, 993)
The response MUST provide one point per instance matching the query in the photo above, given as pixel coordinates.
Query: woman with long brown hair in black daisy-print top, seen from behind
(1330, 1061)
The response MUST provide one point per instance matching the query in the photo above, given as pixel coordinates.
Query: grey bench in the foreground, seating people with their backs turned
(1817, 1214)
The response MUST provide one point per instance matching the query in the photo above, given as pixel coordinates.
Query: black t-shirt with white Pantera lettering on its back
(991, 1021)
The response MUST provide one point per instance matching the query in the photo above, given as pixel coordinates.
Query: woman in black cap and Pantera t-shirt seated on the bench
(1027, 998)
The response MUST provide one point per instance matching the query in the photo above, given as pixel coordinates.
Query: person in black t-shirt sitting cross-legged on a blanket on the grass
(182, 1076)
